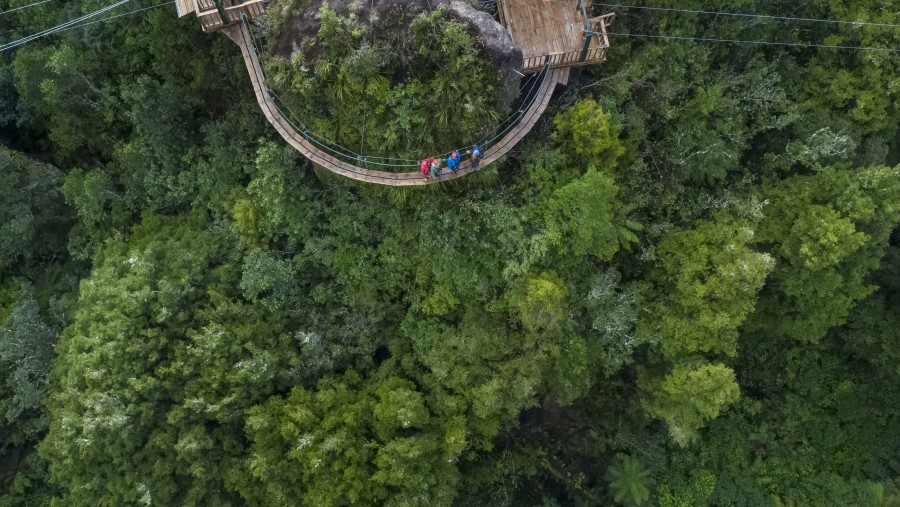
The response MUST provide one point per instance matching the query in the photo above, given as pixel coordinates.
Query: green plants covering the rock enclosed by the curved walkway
(405, 84)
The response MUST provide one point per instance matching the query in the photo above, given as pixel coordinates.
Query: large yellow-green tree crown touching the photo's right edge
(827, 232)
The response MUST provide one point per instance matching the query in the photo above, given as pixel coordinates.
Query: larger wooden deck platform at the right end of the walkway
(554, 30)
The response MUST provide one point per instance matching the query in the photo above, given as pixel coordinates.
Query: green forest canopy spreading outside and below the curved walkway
(682, 289)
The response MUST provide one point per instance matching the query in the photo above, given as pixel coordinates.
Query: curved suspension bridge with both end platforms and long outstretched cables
(554, 35)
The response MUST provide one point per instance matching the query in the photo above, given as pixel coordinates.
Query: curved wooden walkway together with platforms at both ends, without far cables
(549, 51)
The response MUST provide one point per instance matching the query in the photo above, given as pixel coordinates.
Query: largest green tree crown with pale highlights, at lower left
(157, 368)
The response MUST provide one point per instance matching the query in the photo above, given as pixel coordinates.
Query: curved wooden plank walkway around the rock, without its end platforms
(241, 36)
